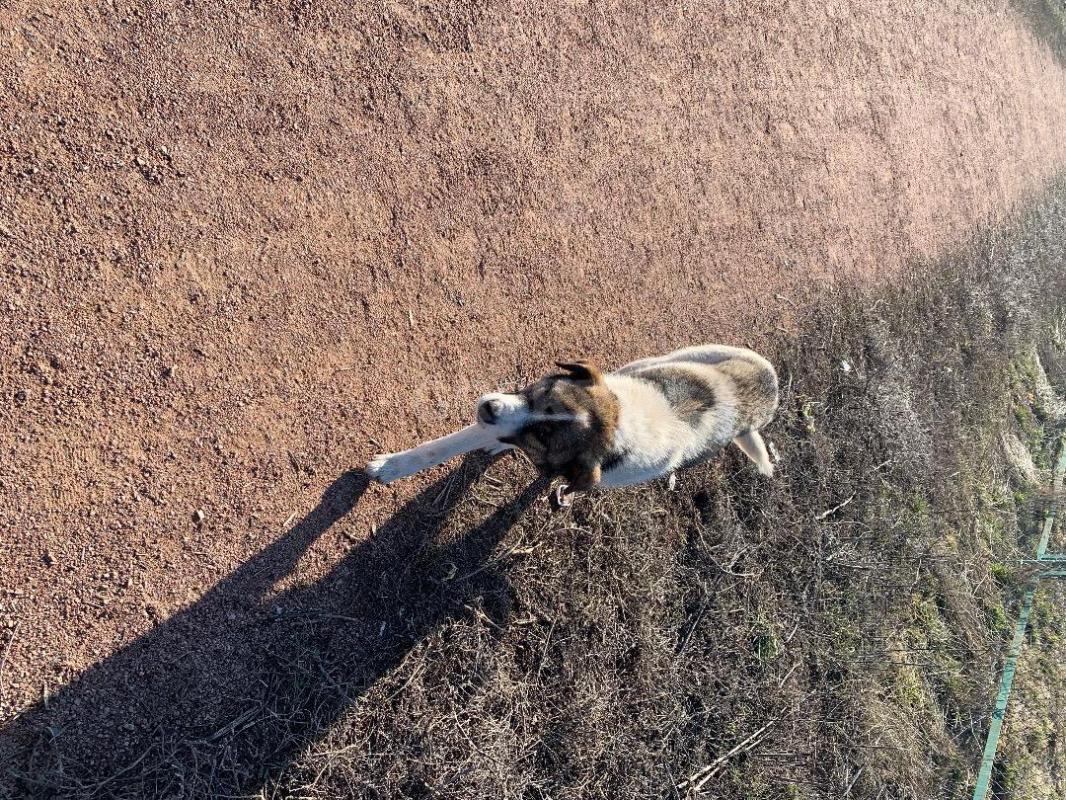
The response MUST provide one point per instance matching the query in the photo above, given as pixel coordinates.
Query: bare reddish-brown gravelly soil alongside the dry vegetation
(241, 247)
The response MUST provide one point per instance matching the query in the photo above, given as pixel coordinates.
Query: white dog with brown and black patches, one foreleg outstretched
(599, 430)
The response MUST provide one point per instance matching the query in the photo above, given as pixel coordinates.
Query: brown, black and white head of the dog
(564, 423)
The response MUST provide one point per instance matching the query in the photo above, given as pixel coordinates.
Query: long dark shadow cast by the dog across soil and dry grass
(222, 696)
